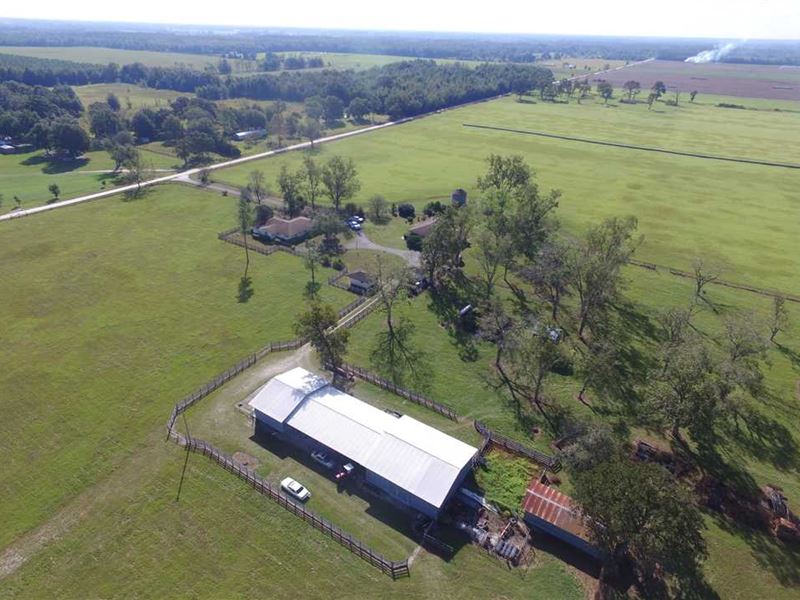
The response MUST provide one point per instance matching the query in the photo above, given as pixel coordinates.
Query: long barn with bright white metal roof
(413, 463)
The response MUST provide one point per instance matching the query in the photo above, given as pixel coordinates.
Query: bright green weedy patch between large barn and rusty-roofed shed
(505, 478)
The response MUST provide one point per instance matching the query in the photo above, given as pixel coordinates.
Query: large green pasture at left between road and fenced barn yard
(112, 312)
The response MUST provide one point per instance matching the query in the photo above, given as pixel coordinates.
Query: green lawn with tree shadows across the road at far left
(29, 176)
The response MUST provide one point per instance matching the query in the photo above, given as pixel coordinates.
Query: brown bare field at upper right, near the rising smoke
(771, 82)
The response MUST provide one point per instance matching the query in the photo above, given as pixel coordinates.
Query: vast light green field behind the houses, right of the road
(740, 216)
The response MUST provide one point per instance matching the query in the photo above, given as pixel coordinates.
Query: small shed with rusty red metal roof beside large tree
(548, 510)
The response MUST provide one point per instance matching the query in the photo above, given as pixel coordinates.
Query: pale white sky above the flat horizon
(720, 19)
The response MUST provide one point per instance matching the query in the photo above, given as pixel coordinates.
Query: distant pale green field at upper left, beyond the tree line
(92, 54)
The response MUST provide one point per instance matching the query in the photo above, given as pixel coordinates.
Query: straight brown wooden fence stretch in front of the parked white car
(392, 568)
